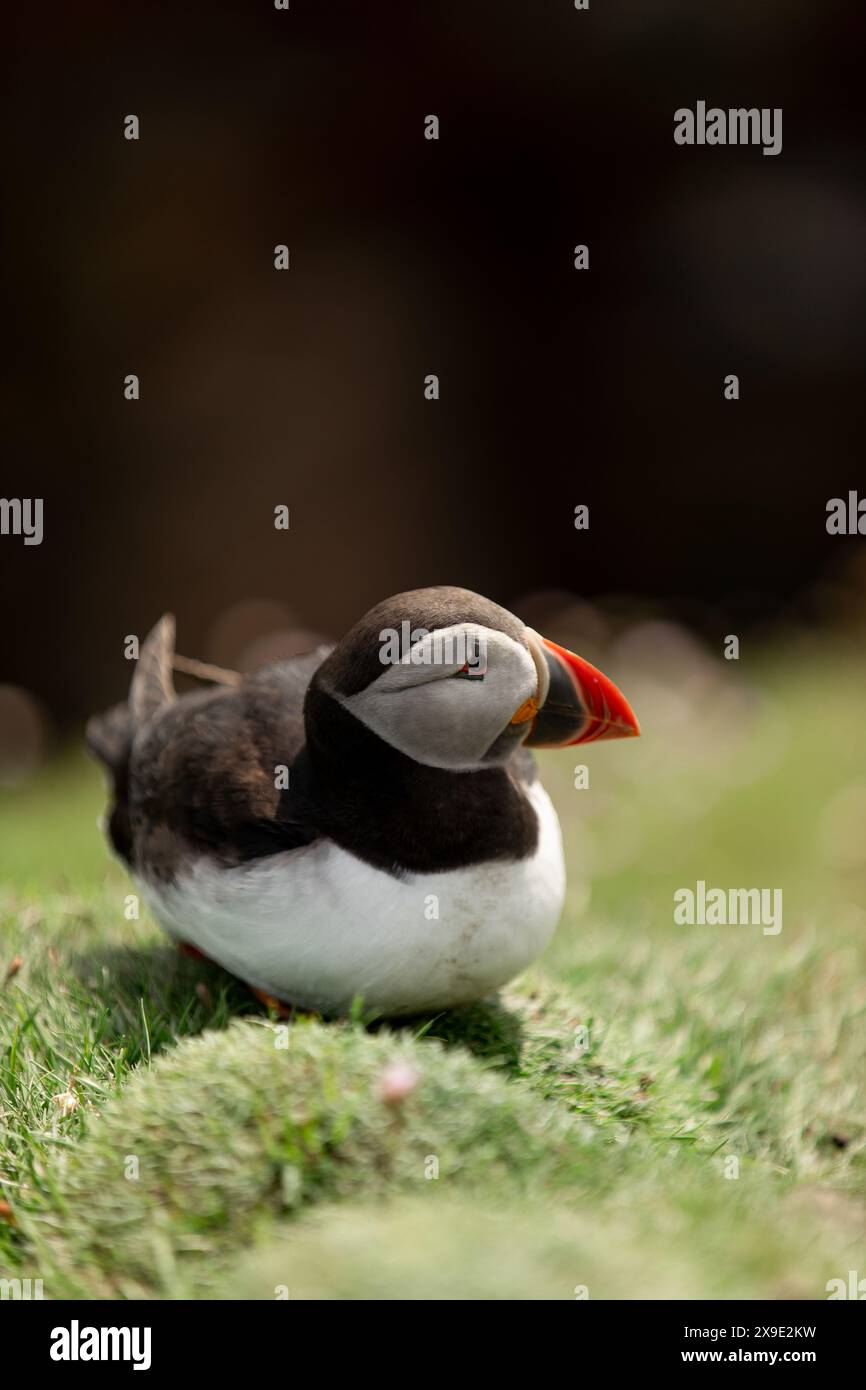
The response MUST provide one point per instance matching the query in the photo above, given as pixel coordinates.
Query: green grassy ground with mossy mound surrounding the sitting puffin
(658, 1111)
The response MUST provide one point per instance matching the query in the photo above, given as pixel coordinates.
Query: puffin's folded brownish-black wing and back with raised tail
(211, 772)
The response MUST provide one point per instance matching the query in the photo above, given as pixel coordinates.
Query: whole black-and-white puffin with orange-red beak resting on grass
(362, 825)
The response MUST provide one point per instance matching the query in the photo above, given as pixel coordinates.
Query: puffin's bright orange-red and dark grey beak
(580, 704)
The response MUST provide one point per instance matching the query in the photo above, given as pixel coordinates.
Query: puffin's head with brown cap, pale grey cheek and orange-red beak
(455, 682)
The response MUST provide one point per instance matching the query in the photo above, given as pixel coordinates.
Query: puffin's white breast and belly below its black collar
(316, 926)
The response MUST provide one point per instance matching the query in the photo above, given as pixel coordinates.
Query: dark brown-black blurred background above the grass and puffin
(411, 258)
